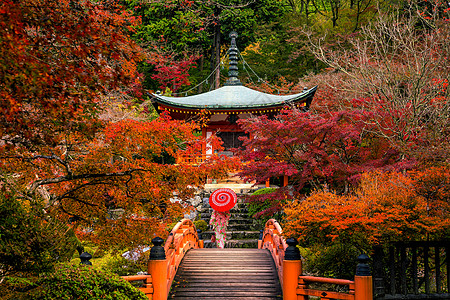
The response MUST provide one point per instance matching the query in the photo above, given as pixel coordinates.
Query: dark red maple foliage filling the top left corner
(57, 59)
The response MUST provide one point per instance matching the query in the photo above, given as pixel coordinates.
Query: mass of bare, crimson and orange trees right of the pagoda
(382, 109)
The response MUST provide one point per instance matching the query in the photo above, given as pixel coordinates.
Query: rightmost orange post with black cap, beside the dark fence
(363, 279)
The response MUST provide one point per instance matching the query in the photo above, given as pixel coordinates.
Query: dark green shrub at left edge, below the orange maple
(31, 242)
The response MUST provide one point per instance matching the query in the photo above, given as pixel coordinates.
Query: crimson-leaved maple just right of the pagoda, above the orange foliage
(314, 149)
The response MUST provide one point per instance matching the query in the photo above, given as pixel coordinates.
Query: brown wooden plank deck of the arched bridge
(226, 274)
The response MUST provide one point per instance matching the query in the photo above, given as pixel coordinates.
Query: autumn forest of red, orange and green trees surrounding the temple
(79, 137)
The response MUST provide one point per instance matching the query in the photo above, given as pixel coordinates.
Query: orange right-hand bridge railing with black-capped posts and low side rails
(295, 286)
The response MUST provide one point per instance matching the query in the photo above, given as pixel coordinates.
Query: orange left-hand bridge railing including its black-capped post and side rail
(165, 260)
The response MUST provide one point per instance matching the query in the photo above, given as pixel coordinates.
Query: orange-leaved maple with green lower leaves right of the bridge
(386, 207)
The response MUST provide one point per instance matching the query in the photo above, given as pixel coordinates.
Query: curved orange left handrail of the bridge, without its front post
(182, 238)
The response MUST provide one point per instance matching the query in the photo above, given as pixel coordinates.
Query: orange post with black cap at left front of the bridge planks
(157, 267)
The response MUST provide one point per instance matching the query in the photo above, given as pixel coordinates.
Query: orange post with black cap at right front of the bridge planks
(292, 269)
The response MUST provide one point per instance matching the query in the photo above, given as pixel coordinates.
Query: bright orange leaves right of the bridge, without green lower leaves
(387, 207)
